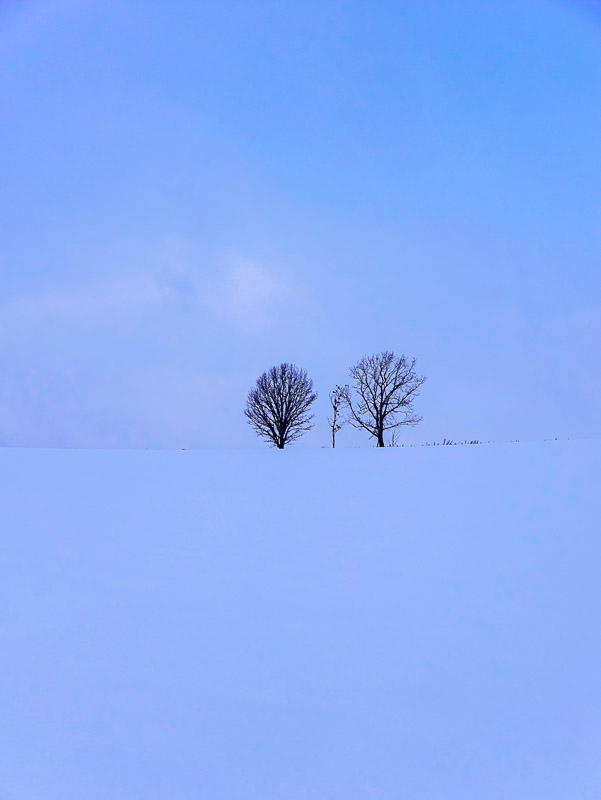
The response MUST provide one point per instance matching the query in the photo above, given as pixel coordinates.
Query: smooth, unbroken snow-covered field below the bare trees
(412, 624)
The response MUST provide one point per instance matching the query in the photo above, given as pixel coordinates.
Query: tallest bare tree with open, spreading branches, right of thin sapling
(385, 387)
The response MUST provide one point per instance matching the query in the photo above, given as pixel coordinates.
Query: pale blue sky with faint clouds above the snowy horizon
(192, 192)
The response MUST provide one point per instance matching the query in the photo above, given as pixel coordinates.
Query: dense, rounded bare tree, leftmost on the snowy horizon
(278, 405)
